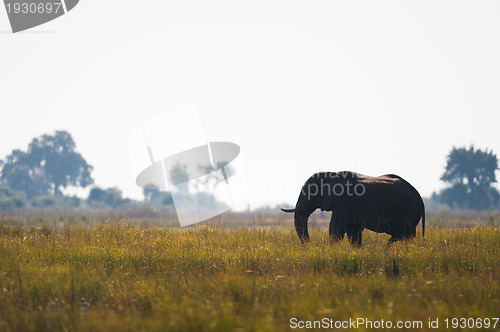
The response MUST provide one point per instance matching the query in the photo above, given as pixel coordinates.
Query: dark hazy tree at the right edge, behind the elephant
(471, 173)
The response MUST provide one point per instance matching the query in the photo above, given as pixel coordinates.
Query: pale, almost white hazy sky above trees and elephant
(370, 86)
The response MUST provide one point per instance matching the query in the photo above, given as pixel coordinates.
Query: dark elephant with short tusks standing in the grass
(383, 204)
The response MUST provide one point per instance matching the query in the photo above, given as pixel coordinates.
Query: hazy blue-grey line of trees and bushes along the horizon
(38, 176)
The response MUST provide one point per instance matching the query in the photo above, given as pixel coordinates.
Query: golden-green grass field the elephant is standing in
(60, 274)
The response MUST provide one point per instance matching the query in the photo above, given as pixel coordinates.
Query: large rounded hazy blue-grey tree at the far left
(50, 164)
